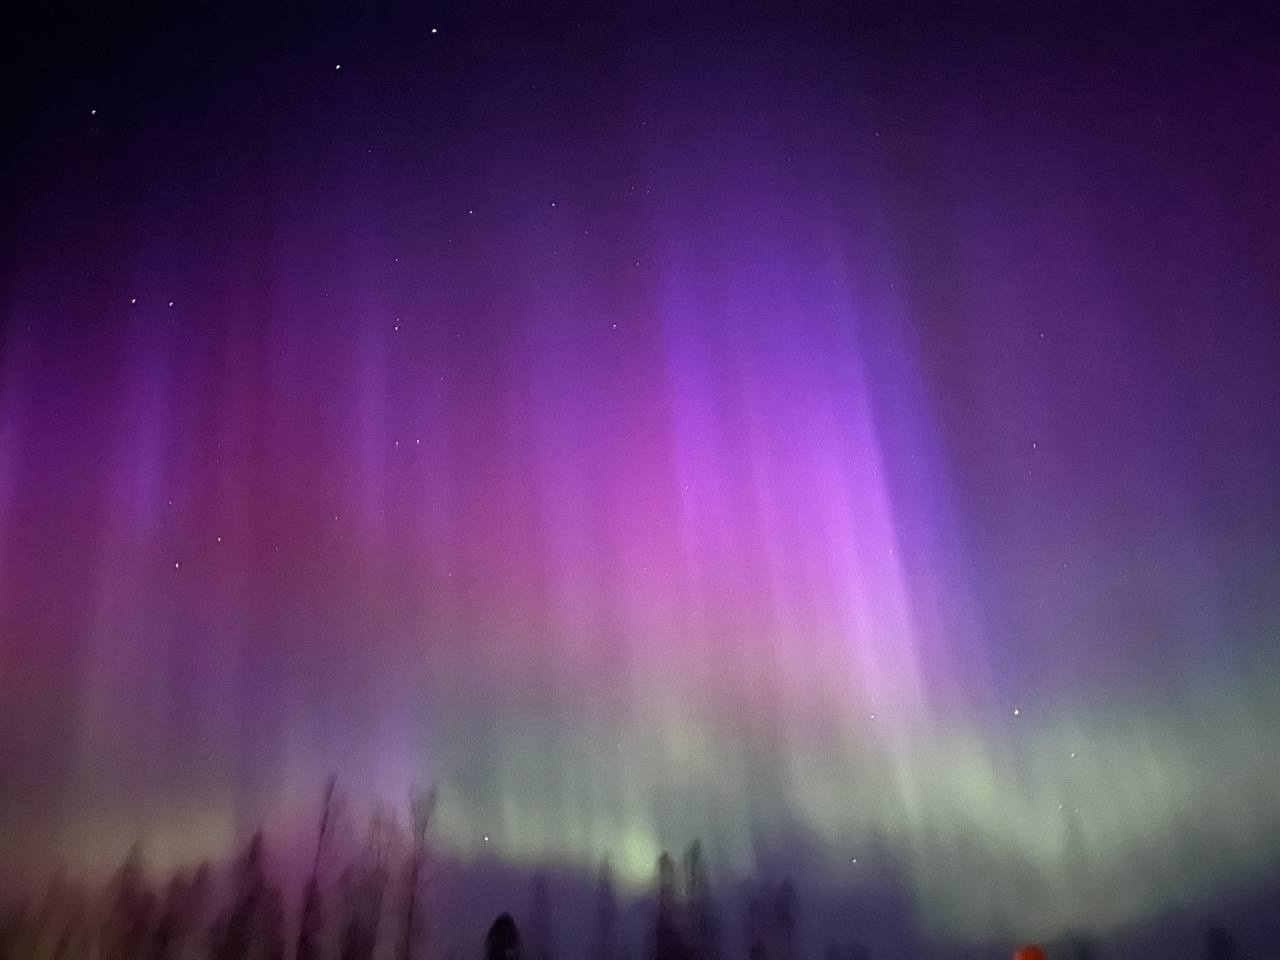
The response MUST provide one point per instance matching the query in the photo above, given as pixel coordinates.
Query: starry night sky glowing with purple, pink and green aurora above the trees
(845, 431)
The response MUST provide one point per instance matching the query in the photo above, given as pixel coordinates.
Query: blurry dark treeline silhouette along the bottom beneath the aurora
(378, 909)
